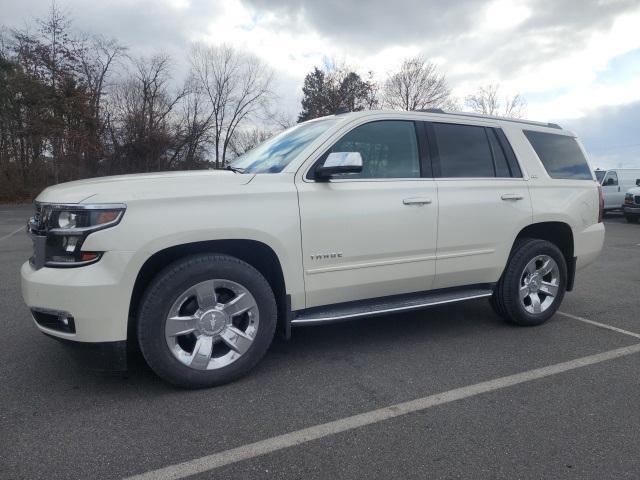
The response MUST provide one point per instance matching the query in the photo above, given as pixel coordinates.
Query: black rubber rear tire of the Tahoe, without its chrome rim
(506, 301)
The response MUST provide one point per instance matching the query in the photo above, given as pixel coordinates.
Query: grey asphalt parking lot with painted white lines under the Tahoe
(583, 421)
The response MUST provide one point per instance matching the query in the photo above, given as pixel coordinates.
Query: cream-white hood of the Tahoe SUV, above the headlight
(120, 188)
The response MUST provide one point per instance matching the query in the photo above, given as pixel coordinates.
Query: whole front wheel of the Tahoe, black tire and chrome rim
(206, 320)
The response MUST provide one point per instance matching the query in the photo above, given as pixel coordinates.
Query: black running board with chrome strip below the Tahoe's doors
(384, 305)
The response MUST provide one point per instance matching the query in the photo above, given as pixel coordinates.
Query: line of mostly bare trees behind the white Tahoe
(74, 106)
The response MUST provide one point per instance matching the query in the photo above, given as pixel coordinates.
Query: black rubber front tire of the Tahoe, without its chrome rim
(169, 284)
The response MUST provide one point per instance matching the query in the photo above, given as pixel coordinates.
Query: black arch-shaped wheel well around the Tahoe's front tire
(257, 254)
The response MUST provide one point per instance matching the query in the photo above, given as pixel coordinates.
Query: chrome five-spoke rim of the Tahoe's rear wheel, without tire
(539, 284)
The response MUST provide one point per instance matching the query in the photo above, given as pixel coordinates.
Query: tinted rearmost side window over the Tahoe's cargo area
(560, 155)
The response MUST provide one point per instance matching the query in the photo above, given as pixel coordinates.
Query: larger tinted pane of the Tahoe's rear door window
(464, 151)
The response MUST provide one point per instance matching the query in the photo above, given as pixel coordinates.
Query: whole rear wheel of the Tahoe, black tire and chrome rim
(533, 283)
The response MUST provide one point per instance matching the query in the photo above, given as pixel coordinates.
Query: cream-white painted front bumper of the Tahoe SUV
(97, 296)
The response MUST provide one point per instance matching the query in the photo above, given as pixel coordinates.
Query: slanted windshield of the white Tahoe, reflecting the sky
(276, 153)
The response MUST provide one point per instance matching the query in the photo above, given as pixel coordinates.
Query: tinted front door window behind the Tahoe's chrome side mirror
(389, 149)
